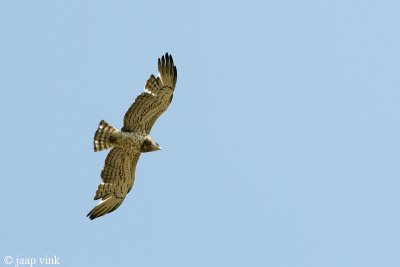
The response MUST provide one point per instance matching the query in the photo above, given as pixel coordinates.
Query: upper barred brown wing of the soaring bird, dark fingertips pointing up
(155, 99)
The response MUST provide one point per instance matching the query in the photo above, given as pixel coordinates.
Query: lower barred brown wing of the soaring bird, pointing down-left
(118, 177)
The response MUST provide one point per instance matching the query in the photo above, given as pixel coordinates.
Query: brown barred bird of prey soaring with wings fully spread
(126, 145)
